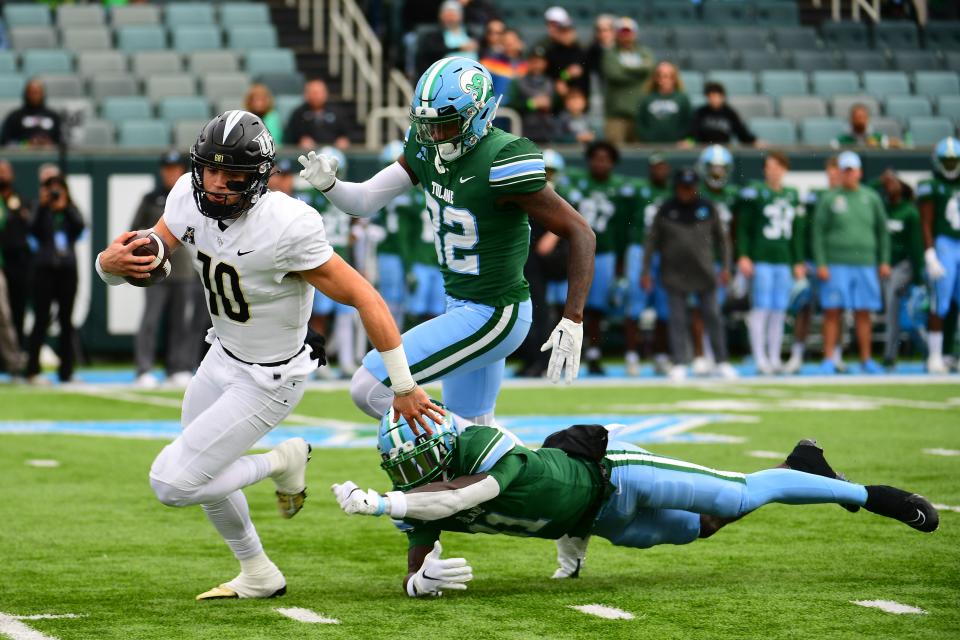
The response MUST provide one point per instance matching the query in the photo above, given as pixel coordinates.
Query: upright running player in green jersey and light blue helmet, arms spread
(480, 183)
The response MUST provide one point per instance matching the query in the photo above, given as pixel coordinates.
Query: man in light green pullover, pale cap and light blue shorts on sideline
(851, 247)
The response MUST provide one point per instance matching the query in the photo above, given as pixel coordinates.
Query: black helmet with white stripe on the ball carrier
(233, 141)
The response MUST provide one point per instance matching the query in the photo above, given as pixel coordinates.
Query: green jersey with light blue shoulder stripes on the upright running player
(482, 244)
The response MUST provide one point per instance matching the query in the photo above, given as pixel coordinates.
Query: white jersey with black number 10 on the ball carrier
(259, 307)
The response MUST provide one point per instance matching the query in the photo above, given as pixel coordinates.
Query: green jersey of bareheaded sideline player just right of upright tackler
(607, 206)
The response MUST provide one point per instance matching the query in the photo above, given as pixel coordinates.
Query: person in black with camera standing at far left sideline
(56, 227)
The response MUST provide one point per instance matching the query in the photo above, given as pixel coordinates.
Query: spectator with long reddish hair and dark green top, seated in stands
(664, 113)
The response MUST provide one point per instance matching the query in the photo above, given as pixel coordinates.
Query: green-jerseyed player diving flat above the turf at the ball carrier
(480, 480)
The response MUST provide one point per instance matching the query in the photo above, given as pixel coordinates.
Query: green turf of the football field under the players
(89, 538)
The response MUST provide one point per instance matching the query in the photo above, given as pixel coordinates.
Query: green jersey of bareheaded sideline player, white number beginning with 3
(765, 223)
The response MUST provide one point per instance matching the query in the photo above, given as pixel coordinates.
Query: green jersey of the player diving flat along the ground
(543, 493)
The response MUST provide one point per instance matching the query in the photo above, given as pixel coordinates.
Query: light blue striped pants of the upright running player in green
(465, 347)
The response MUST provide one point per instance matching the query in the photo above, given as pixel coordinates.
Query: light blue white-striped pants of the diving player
(658, 500)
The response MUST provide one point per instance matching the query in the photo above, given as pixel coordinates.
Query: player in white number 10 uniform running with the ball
(257, 253)
